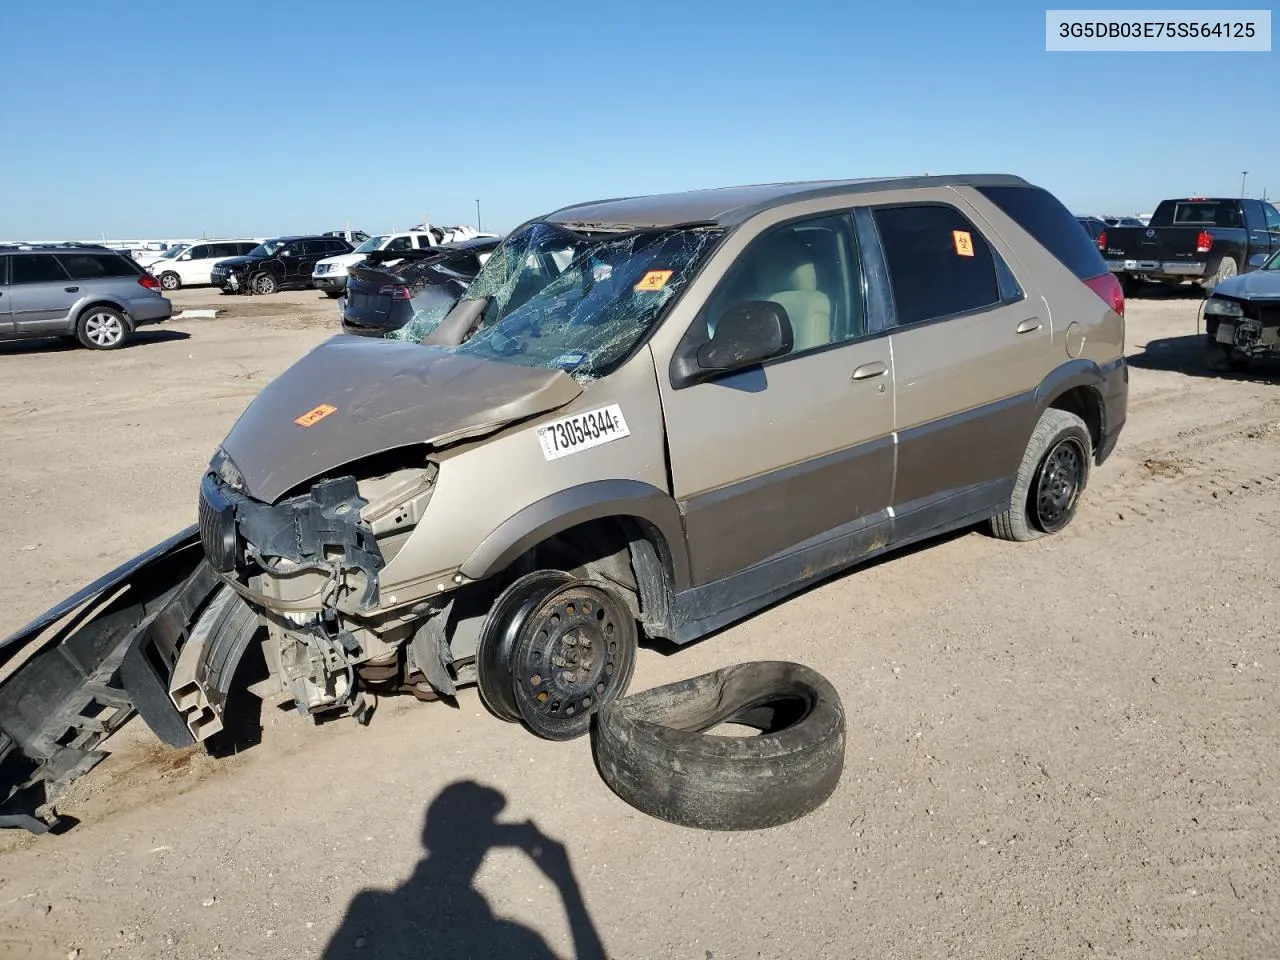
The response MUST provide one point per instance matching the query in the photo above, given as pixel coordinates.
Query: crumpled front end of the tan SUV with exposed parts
(310, 566)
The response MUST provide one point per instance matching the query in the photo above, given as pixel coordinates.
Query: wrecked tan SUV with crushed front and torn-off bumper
(647, 418)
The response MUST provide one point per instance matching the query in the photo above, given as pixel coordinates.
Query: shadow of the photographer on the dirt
(438, 912)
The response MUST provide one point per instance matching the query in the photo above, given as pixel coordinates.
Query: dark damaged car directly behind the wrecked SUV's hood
(415, 294)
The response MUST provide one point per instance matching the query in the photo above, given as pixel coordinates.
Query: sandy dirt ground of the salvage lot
(1063, 749)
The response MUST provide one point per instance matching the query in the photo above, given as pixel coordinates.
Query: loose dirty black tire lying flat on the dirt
(652, 752)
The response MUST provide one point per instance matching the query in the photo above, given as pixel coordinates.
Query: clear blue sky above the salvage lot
(257, 118)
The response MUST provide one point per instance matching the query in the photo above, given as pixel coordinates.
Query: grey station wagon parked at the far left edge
(77, 292)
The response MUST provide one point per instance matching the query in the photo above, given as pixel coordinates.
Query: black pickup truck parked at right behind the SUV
(1204, 240)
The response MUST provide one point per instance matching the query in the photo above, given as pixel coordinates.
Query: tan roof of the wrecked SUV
(729, 207)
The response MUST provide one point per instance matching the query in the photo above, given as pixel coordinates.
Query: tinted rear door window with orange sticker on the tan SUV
(939, 263)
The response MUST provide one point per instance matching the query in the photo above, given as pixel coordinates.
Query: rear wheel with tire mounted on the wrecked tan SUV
(1055, 431)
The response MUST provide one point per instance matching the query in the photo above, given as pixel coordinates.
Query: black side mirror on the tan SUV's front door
(747, 335)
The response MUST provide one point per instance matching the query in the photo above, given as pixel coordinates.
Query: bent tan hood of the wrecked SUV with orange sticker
(365, 396)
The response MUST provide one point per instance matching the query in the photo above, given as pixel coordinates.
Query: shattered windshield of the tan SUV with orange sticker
(580, 301)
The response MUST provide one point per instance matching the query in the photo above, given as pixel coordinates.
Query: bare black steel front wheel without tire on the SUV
(575, 652)
